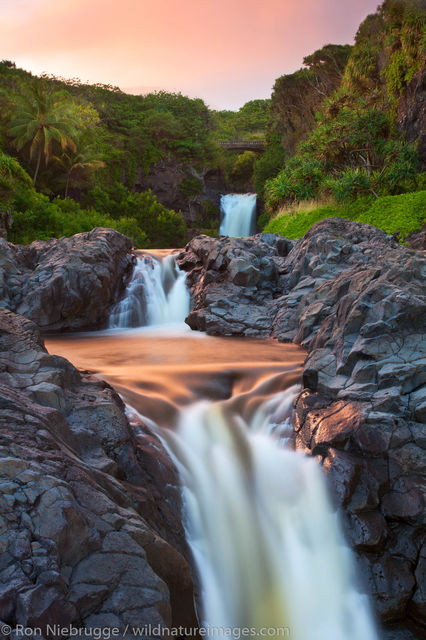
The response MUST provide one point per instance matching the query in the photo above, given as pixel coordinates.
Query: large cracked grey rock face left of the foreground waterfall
(90, 530)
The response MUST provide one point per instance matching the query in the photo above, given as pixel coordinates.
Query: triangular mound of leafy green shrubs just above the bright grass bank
(351, 152)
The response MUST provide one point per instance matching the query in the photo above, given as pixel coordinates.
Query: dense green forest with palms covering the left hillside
(78, 129)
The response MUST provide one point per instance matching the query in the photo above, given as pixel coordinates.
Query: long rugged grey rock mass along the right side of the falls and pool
(356, 301)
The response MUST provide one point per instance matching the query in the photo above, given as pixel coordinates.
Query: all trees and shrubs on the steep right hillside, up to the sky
(356, 139)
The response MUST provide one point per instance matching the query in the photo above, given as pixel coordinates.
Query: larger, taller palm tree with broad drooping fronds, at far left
(42, 117)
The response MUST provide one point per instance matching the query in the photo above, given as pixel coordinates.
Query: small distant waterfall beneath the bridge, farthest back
(239, 214)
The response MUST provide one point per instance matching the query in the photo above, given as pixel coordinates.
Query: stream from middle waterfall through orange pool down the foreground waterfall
(266, 542)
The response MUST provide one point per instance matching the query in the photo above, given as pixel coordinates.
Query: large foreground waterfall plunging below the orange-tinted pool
(266, 543)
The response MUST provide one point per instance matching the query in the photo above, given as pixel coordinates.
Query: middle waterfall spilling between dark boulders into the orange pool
(156, 294)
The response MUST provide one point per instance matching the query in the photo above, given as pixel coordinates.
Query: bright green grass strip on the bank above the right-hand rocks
(404, 213)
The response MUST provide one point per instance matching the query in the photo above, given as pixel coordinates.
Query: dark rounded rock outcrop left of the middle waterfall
(66, 283)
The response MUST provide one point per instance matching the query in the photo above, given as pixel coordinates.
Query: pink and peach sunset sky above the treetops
(224, 51)
